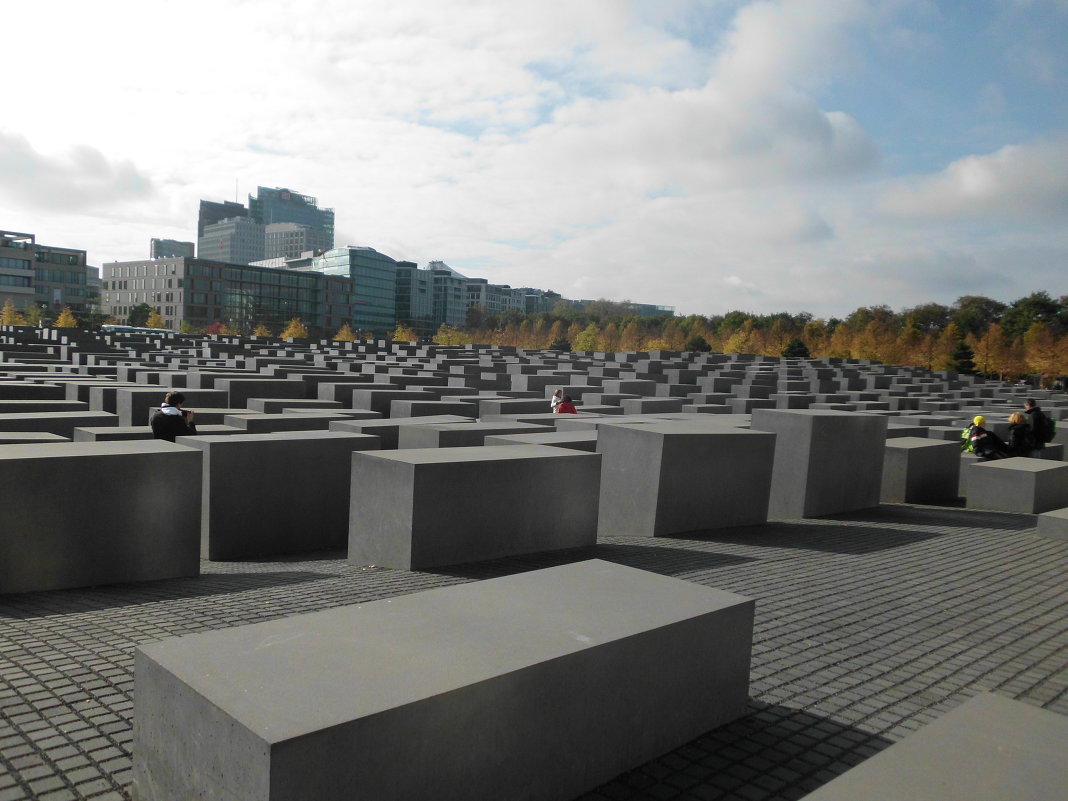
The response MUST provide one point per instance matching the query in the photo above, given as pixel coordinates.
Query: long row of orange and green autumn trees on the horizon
(976, 334)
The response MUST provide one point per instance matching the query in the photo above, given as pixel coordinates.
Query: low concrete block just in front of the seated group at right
(1018, 484)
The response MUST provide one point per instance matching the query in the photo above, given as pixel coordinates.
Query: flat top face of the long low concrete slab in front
(303, 674)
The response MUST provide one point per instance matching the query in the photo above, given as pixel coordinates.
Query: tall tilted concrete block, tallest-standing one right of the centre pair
(826, 462)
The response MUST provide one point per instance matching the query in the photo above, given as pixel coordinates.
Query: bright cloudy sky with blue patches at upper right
(710, 155)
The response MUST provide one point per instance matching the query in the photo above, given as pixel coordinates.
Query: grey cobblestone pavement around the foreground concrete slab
(869, 626)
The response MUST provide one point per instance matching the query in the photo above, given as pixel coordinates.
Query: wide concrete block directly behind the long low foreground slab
(428, 508)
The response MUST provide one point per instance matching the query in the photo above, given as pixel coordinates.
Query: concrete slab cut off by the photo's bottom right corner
(988, 749)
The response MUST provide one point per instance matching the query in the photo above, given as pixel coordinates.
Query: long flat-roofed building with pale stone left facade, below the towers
(200, 292)
